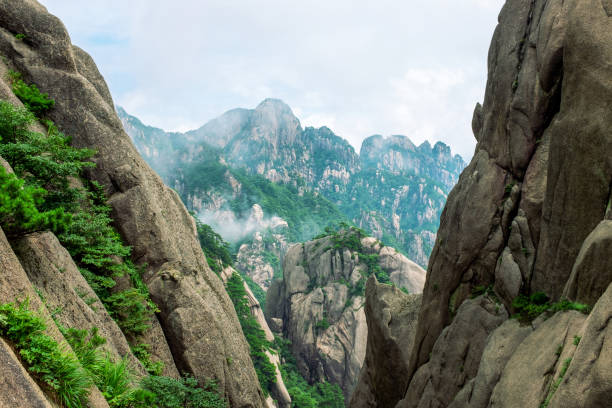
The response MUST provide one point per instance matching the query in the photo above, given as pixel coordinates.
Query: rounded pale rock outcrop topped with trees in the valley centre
(319, 303)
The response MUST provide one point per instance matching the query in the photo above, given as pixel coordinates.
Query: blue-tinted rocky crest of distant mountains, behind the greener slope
(269, 141)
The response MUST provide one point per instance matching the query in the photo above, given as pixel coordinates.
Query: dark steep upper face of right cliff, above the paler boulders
(541, 175)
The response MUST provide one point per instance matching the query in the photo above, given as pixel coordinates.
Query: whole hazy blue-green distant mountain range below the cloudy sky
(393, 189)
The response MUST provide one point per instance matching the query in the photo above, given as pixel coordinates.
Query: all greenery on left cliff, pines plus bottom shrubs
(47, 192)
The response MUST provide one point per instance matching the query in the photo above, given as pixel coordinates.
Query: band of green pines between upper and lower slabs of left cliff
(49, 161)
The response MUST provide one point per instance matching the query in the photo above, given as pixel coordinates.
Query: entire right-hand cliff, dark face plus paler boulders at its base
(525, 230)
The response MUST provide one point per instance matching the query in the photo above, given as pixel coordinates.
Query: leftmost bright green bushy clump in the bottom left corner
(51, 365)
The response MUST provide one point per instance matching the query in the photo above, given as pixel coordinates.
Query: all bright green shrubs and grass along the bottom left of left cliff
(70, 374)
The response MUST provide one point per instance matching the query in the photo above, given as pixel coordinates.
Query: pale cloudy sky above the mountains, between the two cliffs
(411, 67)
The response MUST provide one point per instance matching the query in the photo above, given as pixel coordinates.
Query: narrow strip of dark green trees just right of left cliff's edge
(253, 332)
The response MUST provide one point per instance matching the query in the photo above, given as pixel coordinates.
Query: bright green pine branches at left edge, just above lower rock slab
(20, 211)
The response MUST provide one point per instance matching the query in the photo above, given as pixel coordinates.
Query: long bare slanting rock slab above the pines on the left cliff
(197, 317)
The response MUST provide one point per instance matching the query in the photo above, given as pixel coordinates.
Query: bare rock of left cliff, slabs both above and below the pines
(196, 330)
